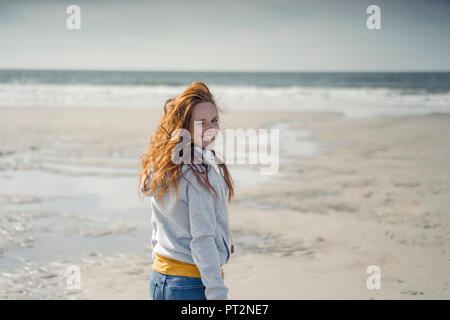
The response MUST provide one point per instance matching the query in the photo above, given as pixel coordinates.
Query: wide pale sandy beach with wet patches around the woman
(376, 192)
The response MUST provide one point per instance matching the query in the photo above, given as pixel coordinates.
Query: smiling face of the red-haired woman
(204, 124)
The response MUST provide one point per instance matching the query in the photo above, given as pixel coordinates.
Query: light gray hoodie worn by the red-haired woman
(194, 227)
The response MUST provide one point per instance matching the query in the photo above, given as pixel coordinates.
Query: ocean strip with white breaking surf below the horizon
(353, 94)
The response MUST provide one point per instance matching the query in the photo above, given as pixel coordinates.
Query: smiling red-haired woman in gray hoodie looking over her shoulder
(191, 238)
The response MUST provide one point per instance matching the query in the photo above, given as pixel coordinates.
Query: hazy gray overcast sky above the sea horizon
(226, 35)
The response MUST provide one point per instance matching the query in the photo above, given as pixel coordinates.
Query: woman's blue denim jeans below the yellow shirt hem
(167, 287)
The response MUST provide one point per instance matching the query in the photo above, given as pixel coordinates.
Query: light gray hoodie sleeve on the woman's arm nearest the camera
(202, 220)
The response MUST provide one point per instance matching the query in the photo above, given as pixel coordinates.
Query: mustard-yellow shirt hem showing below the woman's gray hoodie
(174, 267)
